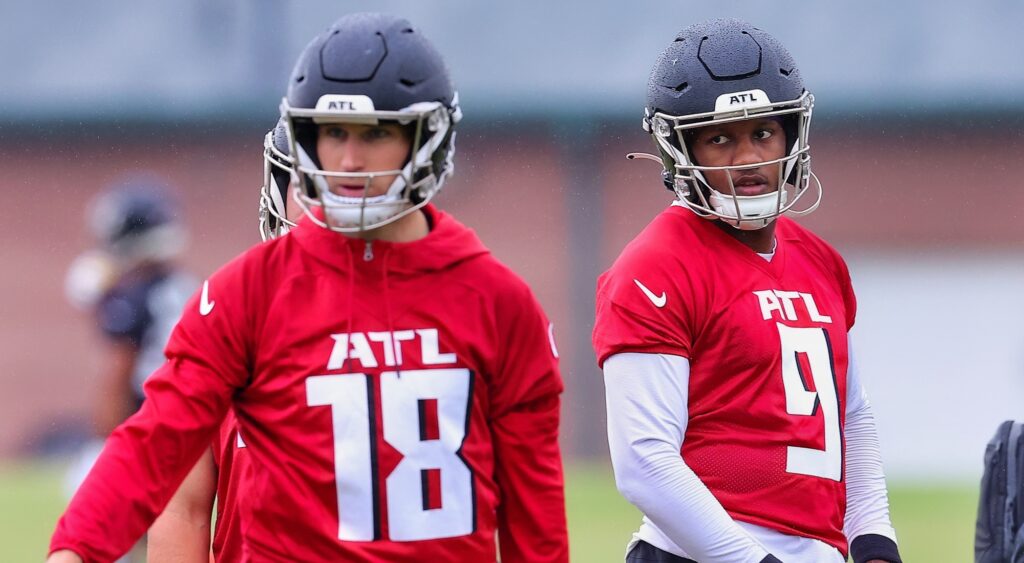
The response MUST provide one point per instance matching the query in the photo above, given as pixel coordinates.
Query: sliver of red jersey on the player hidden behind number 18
(232, 459)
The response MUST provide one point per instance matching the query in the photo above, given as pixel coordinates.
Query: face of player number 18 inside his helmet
(363, 149)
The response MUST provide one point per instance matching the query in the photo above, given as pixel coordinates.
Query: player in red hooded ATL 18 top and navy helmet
(396, 385)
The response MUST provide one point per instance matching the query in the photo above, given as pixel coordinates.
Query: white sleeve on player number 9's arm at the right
(868, 502)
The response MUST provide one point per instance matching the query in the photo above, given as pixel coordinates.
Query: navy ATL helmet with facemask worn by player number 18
(368, 69)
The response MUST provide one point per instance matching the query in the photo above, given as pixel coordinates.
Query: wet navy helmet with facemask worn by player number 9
(724, 71)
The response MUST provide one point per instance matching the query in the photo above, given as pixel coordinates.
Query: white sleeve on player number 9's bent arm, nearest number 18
(647, 398)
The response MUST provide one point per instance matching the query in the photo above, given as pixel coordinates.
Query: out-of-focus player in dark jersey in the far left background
(135, 289)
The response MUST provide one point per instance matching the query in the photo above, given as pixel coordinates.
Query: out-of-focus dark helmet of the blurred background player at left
(138, 221)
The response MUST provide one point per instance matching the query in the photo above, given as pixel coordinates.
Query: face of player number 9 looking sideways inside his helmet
(740, 144)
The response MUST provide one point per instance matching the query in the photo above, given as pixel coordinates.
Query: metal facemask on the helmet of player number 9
(689, 181)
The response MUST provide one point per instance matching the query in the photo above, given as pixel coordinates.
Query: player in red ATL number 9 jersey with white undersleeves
(738, 423)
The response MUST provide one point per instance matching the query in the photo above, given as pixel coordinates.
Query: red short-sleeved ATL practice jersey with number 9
(767, 347)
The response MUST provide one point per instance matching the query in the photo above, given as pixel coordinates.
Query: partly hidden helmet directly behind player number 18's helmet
(279, 171)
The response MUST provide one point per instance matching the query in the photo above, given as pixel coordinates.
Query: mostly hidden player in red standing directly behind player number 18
(182, 534)
